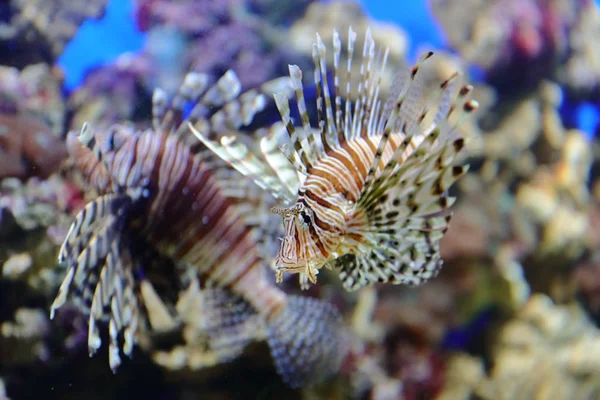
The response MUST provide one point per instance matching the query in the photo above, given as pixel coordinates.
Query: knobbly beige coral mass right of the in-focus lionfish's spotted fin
(534, 173)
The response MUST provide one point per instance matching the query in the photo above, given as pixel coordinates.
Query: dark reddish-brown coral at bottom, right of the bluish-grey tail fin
(397, 331)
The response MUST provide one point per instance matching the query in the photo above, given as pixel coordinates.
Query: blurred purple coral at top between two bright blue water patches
(201, 40)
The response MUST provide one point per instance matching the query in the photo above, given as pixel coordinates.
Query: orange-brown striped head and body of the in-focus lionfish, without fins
(330, 191)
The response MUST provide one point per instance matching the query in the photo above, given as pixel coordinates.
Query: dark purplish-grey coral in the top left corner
(33, 31)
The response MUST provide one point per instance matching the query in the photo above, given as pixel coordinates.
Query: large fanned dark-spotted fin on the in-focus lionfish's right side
(405, 201)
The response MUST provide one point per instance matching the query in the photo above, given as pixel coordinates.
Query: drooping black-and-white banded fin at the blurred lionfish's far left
(100, 275)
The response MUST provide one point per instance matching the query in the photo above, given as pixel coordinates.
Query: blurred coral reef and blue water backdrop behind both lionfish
(514, 313)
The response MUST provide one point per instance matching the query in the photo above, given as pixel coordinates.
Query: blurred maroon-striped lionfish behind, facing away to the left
(162, 192)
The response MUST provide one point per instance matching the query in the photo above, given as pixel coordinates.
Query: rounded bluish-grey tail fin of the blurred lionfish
(307, 341)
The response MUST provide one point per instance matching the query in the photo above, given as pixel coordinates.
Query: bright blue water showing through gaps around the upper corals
(100, 42)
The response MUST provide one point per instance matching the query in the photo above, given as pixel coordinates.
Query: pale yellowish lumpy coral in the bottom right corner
(546, 351)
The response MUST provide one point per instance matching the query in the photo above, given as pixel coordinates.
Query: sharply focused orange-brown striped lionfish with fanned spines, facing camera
(367, 189)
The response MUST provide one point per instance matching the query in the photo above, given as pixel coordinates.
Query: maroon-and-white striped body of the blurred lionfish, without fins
(185, 213)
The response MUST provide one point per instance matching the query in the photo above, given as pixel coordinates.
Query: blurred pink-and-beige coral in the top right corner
(520, 42)
